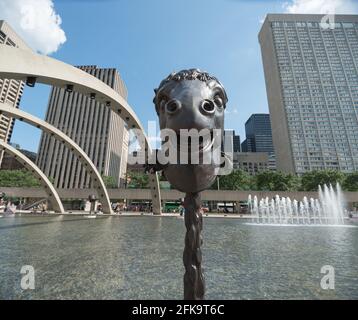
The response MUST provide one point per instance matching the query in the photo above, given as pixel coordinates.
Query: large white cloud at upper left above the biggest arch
(36, 21)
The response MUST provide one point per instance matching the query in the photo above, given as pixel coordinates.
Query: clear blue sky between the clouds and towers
(148, 39)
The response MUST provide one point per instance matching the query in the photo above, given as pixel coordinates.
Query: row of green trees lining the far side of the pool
(237, 180)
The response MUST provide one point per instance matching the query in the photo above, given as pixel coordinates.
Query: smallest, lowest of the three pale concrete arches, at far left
(52, 194)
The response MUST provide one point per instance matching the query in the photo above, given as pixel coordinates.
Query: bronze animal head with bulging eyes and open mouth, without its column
(191, 100)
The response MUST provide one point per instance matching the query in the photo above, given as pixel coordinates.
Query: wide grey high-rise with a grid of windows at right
(311, 72)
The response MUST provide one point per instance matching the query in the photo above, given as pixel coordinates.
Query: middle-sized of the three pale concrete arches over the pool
(68, 142)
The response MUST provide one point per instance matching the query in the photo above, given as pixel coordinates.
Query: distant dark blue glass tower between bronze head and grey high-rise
(258, 134)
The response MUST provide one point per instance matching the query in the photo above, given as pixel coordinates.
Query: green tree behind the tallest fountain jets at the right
(311, 180)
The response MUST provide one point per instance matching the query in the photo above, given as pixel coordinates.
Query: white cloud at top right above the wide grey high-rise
(321, 6)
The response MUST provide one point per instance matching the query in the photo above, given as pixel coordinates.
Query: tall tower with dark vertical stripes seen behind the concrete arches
(100, 132)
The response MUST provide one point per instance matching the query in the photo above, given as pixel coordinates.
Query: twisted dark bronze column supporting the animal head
(194, 283)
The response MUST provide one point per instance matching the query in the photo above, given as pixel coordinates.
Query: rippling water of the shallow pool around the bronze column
(141, 258)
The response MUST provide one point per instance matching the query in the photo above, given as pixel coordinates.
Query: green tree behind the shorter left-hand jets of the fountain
(276, 181)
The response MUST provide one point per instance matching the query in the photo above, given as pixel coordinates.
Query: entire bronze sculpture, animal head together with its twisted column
(191, 100)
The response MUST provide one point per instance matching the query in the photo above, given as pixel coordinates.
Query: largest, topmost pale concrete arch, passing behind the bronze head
(20, 64)
